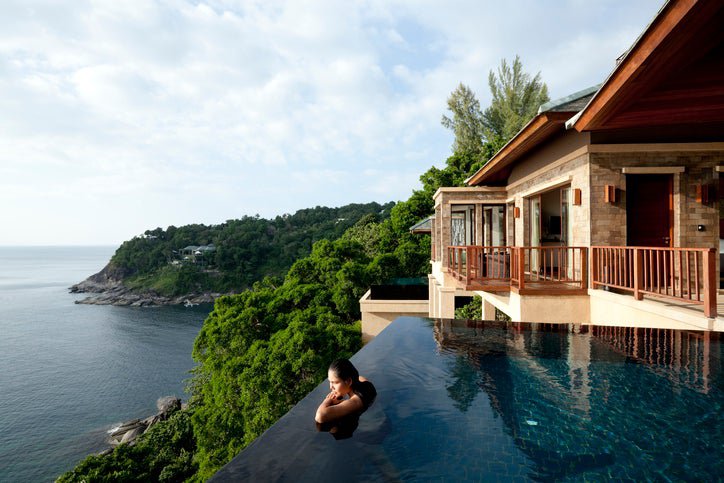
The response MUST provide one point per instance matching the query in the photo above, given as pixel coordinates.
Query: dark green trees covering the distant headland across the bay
(246, 250)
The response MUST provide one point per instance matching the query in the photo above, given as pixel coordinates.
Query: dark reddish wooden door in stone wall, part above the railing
(649, 210)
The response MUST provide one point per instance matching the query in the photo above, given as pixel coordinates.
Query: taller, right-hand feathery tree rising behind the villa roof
(516, 99)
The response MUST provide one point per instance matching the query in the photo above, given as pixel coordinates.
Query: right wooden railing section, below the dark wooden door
(686, 274)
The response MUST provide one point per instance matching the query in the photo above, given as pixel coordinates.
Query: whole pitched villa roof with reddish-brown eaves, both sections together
(673, 75)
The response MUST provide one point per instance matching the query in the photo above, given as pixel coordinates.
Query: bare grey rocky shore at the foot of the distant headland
(107, 288)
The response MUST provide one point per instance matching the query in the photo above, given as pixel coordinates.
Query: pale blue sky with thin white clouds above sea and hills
(119, 117)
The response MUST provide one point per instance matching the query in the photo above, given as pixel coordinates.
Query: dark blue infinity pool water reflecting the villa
(482, 401)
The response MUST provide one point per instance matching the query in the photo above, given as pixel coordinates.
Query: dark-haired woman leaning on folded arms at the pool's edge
(349, 393)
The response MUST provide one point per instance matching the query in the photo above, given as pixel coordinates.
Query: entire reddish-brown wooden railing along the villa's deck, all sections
(683, 274)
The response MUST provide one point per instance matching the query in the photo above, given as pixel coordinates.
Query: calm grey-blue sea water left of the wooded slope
(68, 372)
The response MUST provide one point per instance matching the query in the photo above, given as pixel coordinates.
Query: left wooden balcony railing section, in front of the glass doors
(545, 267)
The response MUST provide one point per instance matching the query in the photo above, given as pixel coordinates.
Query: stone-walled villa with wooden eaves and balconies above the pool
(605, 208)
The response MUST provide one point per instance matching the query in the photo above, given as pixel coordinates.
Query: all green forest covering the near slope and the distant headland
(264, 349)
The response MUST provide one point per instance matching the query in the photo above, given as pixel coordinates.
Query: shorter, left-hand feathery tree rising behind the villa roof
(466, 122)
